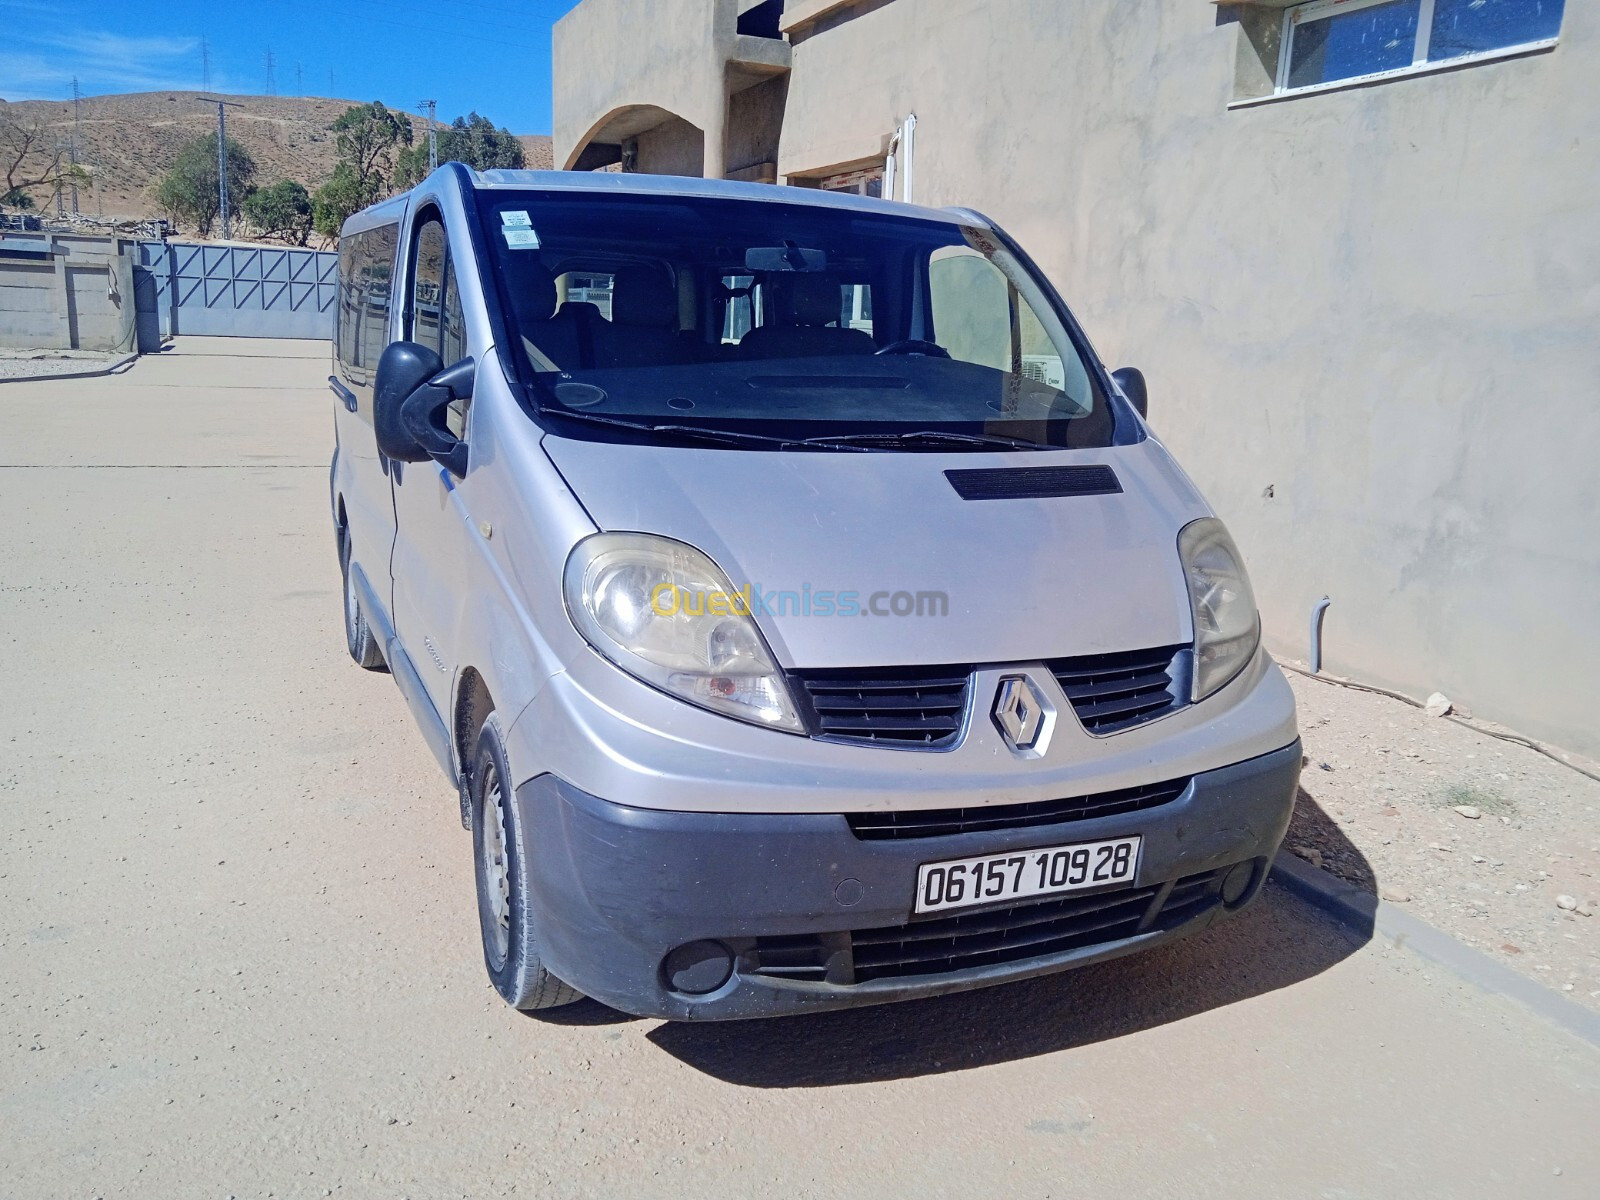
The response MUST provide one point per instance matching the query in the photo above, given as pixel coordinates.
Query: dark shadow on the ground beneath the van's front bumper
(1278, 943)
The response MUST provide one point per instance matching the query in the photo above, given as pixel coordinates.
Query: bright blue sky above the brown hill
(486, 55)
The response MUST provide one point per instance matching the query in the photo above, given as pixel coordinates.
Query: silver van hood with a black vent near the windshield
(1025, 578)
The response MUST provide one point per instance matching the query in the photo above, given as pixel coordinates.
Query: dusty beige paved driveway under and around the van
(239, 948)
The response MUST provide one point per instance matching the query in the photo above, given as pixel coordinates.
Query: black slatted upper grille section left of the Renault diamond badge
(887, 706)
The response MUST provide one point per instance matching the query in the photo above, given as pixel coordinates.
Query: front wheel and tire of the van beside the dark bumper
(498, 852)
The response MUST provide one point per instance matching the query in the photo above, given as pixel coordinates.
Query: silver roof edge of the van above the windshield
(617, 183)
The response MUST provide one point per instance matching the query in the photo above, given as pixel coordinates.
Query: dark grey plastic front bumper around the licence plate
(815, 919)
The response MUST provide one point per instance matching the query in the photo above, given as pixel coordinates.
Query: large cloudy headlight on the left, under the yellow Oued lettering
(666, 614)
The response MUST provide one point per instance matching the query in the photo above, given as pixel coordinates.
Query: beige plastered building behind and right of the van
(1354, 246)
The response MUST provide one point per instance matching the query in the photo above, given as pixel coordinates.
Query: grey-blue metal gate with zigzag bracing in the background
(233, 292)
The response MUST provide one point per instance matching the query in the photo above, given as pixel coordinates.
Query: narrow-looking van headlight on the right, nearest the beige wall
(1225, 609)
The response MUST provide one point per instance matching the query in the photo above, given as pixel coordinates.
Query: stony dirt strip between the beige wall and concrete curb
(1380, 798)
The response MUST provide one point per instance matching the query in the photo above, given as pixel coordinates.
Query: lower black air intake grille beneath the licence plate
(985, 938)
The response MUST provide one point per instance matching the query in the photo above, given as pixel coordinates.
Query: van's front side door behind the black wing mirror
(434, 534)
